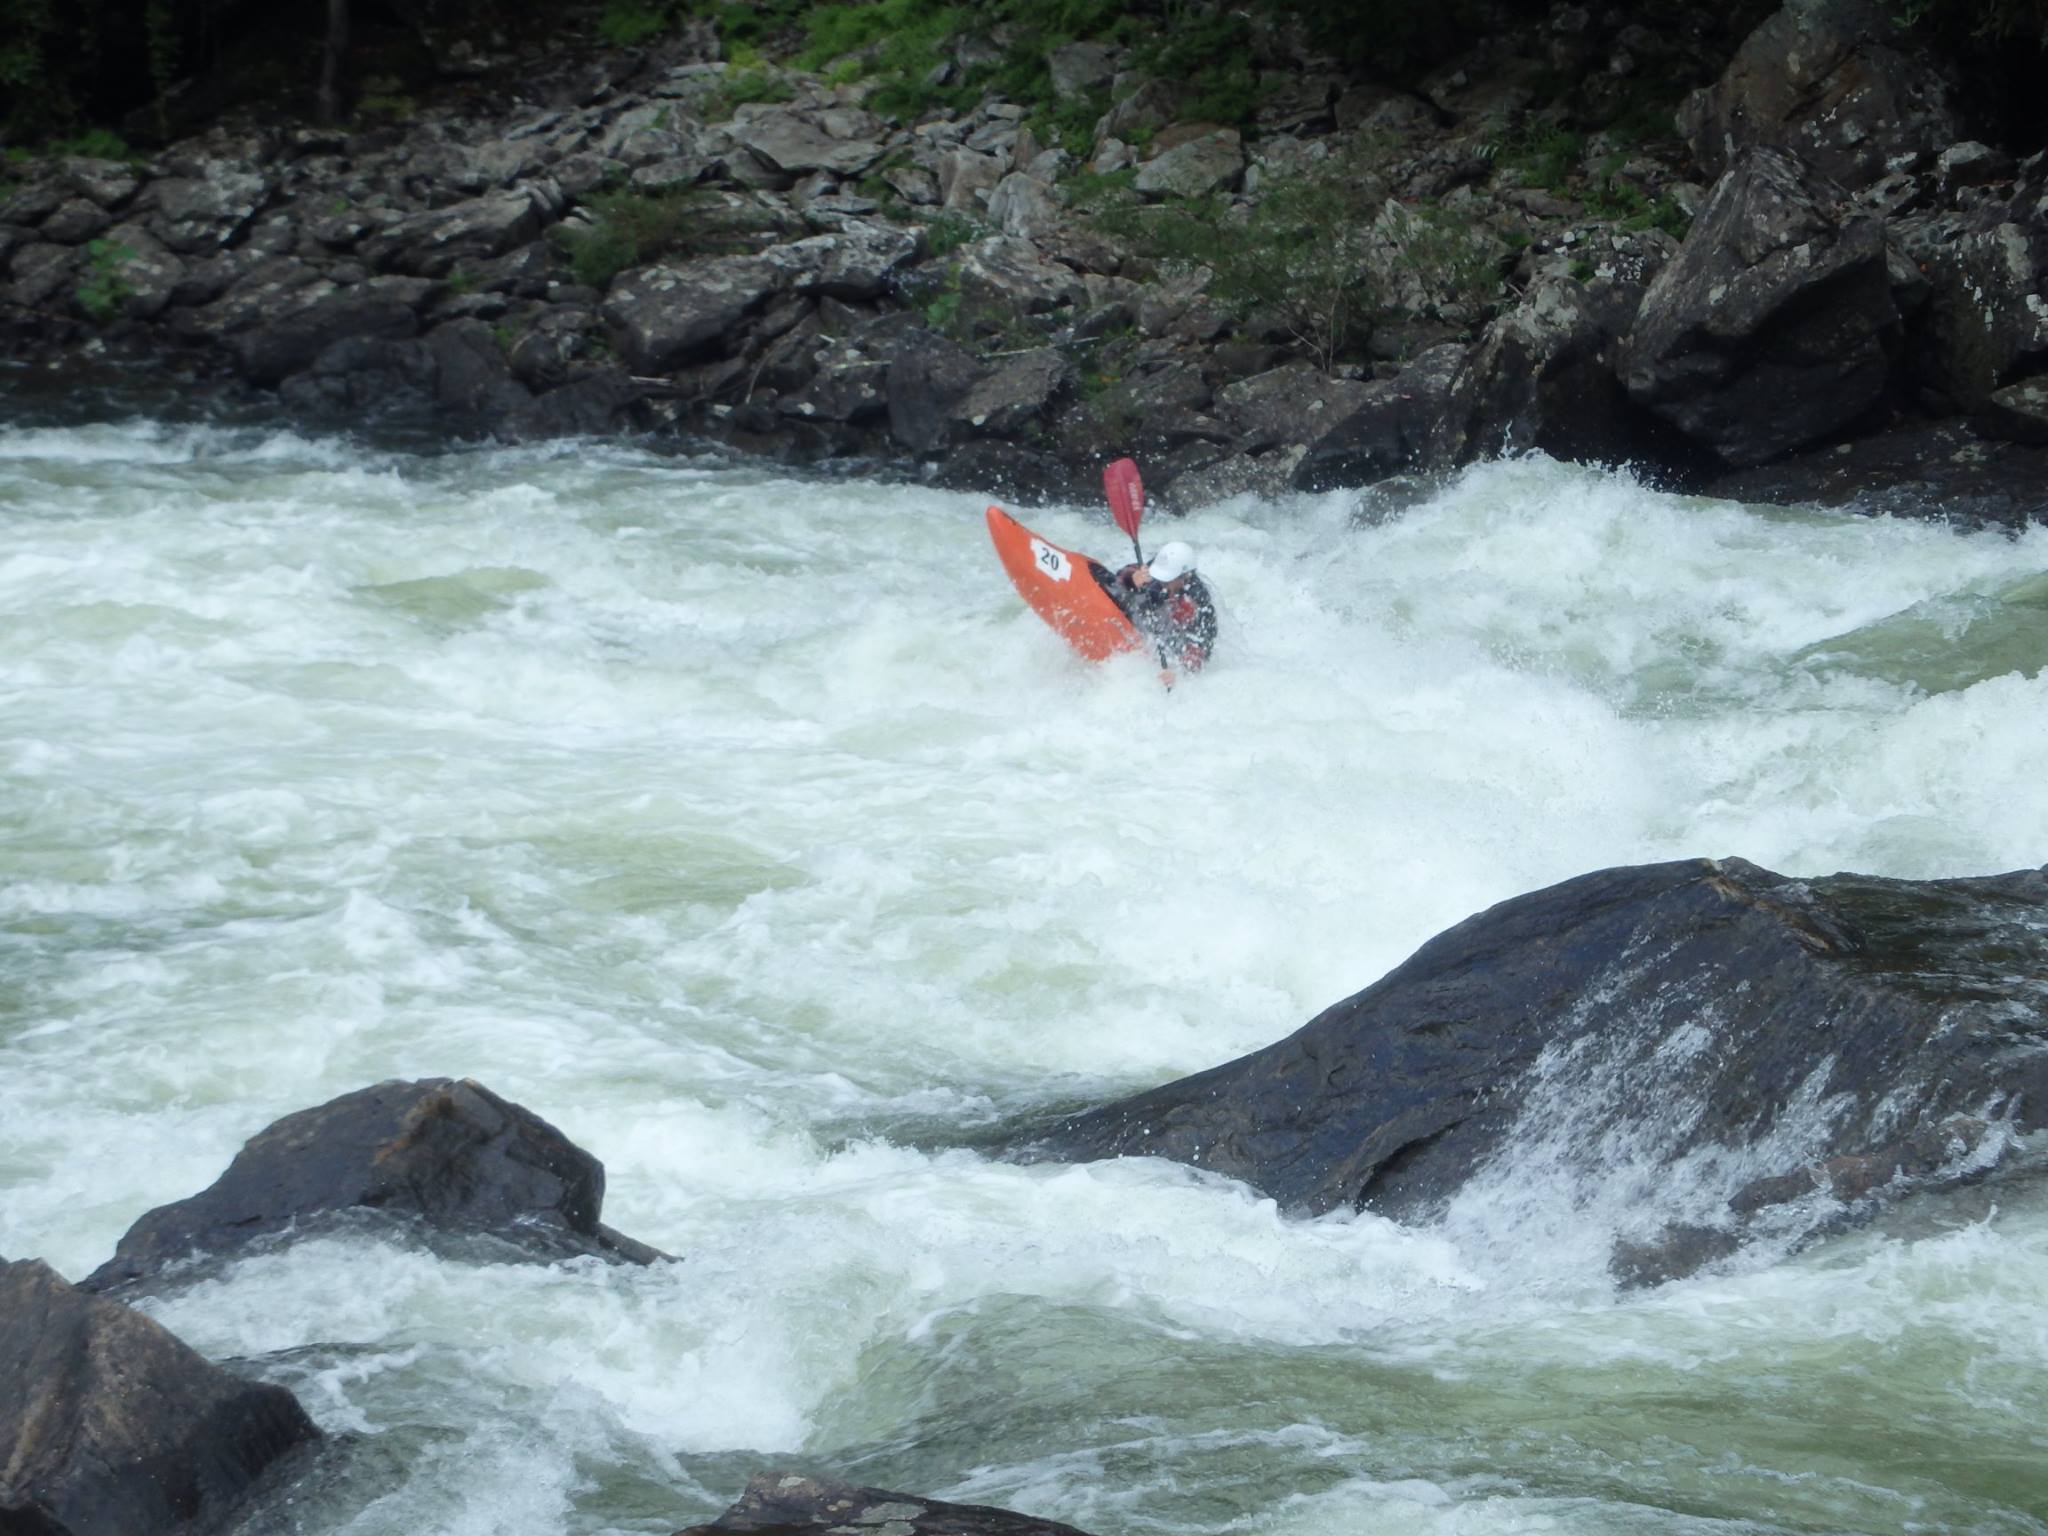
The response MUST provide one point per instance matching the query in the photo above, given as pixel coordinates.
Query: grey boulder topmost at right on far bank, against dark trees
(1834, 81)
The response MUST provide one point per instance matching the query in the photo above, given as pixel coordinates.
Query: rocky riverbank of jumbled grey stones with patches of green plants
(1814, 286)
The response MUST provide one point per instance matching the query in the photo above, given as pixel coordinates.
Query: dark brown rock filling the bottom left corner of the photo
(110, 1426)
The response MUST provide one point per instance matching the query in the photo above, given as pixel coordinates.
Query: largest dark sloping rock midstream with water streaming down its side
(1826, 1037)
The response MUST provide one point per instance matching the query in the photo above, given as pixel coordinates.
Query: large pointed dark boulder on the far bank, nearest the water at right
(1775, 325)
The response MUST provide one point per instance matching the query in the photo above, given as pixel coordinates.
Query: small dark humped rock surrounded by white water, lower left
(445, 1154)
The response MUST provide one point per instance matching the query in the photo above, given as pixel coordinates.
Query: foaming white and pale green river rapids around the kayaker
(751, 830)
